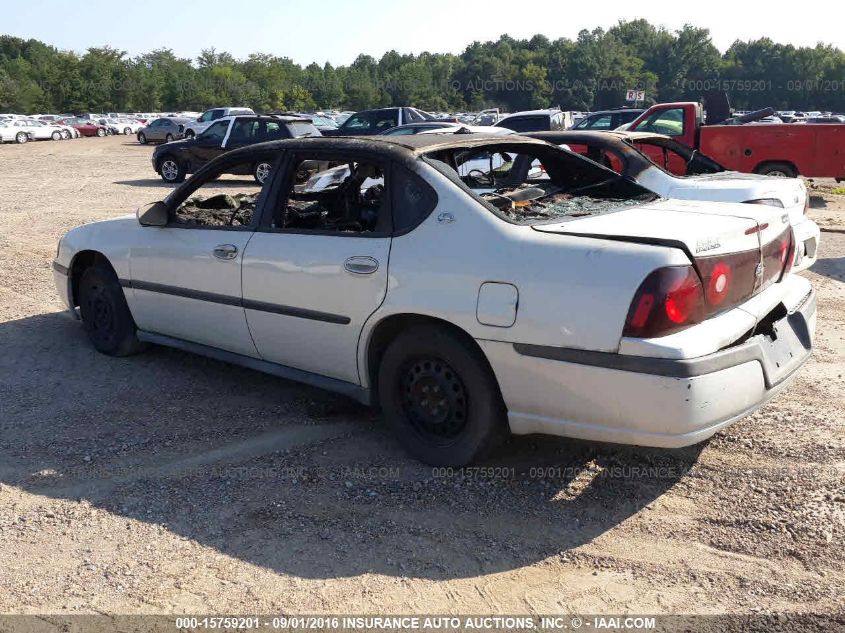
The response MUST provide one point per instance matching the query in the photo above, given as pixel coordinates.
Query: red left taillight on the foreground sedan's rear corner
(668, 300)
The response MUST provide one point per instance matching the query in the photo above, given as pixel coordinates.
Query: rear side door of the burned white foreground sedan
(316, 269)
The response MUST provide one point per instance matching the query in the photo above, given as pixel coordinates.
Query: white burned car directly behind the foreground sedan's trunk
(653, 160)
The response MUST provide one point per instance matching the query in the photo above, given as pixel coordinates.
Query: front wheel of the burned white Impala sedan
(105, 315)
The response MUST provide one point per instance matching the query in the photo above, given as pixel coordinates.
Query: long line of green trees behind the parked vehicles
(590, 72)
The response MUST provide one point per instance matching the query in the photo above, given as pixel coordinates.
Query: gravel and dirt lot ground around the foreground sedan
(168, 483)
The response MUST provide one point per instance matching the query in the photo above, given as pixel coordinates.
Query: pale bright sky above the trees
(338, 32)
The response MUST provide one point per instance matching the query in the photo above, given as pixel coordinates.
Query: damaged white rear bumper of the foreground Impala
(643, 400)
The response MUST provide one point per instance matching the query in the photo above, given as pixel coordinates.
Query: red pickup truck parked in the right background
(815, 150)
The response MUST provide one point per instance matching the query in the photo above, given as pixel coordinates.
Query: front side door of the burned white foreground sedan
(186, 276)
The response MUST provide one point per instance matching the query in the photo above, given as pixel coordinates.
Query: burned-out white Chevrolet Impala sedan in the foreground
(565, 300)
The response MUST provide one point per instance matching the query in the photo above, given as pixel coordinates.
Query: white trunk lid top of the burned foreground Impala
(699, 228)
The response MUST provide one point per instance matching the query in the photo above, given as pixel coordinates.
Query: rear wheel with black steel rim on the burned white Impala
(469, 418)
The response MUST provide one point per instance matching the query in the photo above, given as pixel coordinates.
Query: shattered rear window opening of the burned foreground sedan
(534, 184)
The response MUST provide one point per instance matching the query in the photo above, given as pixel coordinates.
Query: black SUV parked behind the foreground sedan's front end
(174, 161)
